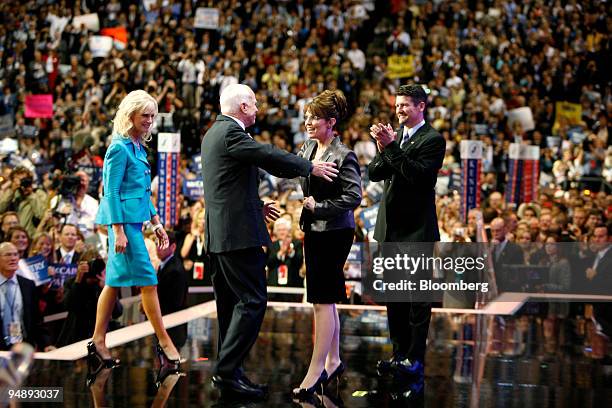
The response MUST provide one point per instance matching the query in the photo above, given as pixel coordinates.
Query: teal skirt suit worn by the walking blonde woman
(126, 178)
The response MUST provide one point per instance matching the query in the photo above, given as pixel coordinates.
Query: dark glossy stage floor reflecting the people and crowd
(525, 360)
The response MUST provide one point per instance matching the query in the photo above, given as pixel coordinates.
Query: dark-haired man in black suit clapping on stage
(408, 161)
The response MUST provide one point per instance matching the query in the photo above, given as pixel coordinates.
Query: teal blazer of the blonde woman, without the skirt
(126, 178)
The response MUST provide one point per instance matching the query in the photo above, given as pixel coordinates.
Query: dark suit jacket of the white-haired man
(230, 161)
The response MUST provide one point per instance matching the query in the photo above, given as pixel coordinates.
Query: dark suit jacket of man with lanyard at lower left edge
(35, 331)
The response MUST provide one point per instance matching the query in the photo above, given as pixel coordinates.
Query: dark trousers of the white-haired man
(239, 282)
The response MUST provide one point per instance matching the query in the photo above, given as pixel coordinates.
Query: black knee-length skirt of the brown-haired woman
(326, 254)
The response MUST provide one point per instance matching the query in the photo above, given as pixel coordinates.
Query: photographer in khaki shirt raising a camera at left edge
(19, 195)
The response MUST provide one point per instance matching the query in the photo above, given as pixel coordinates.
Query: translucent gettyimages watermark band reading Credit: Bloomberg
(463, 274)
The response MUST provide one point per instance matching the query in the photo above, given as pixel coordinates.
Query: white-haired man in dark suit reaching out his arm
(236, 230)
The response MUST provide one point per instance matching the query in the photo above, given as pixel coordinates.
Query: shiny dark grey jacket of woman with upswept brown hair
(335, 200)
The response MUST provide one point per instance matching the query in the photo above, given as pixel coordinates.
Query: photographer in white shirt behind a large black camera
(73, 205)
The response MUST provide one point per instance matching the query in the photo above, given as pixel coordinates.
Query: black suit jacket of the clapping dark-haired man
(407, 211)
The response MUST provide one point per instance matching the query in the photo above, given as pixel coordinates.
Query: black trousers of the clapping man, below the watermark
(408, 329)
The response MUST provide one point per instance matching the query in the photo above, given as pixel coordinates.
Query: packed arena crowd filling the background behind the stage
(477, 60)
